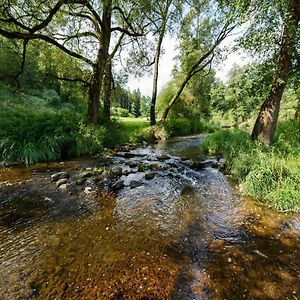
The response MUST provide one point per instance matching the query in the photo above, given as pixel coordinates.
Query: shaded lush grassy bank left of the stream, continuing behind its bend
(40, 127)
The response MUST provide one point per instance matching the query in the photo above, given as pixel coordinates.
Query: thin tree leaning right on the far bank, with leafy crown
(202, 46)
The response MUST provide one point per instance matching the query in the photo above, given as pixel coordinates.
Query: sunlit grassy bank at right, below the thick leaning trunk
(271, 175)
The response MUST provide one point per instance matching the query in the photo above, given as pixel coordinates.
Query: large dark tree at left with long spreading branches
(80, 28)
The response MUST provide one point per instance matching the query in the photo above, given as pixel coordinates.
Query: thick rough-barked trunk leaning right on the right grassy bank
(266, 121)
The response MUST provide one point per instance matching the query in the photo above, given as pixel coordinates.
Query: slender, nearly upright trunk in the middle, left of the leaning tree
(155, 74)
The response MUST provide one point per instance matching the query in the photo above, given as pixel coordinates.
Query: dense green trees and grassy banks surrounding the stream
(65, 66)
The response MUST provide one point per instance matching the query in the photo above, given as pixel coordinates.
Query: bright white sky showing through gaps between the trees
(167, 64)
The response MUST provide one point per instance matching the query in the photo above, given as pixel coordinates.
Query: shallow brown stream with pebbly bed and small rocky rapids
(181, 233)
